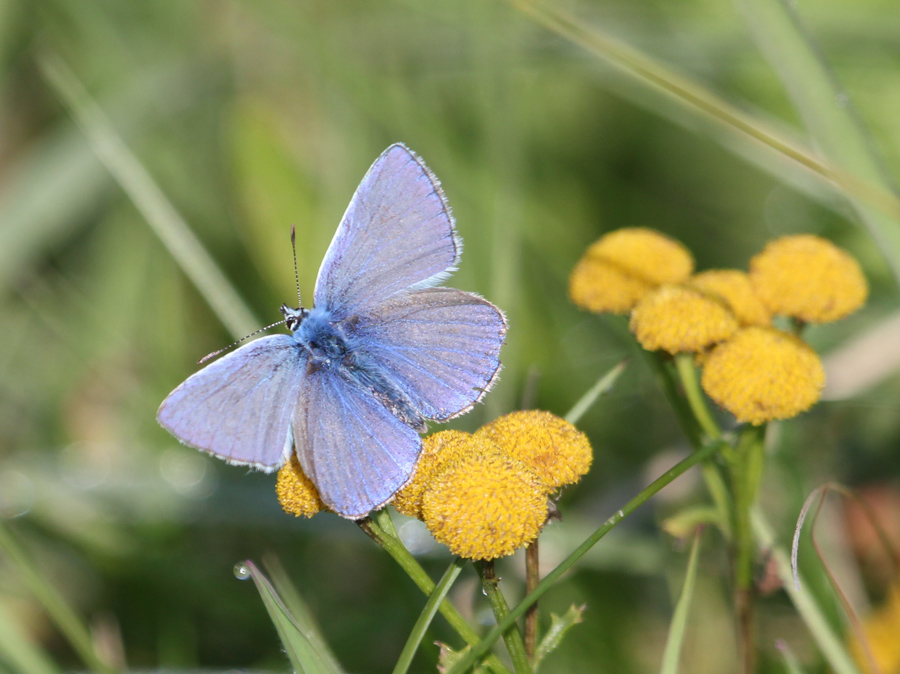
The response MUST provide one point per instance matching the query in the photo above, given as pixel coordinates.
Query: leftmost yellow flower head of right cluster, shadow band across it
(623, 266)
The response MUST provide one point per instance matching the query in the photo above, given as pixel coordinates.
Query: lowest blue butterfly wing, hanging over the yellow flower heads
(353, 449)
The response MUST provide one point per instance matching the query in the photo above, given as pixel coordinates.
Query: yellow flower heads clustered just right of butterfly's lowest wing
(484, 495)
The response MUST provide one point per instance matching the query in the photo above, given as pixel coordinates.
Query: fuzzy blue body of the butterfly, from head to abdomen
(333, 345)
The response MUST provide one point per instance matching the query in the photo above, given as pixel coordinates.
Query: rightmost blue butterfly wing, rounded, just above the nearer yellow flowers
(441, 345)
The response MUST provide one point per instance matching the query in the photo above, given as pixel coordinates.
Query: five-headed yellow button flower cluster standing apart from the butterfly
(755, 371)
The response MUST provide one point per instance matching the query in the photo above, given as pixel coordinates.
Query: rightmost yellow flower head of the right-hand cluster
(808, 278)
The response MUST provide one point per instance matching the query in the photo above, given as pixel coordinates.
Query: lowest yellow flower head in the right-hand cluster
(762, 374)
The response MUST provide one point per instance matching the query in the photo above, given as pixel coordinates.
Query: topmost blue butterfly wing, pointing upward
(397, 232)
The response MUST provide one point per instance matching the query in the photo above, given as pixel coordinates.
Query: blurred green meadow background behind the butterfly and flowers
(253, 116)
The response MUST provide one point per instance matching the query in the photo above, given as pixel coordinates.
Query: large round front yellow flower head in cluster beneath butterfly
(485, 505)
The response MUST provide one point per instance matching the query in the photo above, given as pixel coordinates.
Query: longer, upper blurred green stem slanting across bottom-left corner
(59, 611)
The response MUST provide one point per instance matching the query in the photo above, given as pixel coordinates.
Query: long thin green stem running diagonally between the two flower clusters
(550, 579)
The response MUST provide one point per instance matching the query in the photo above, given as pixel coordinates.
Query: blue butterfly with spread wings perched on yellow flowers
(382, 352)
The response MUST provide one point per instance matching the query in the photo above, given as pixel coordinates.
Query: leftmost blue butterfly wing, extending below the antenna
(239, 407)
